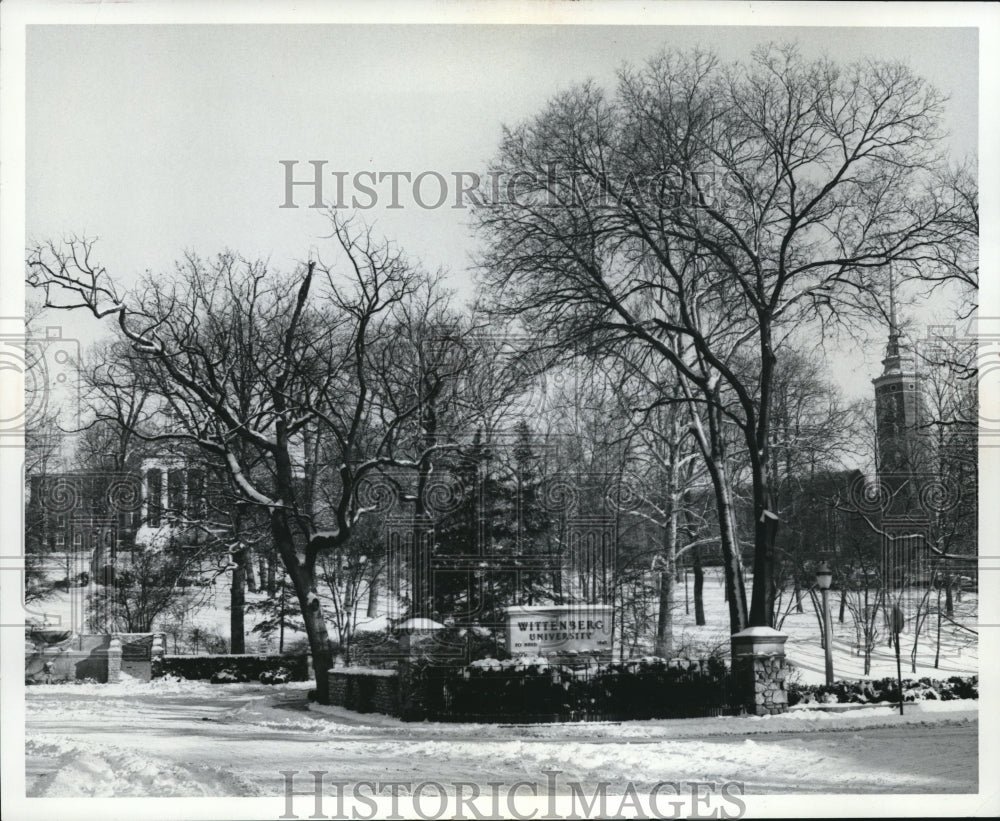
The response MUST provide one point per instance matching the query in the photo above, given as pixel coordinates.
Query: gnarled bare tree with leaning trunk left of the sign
(251, 364)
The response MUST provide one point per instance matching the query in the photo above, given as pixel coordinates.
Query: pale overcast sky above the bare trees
(158, 139)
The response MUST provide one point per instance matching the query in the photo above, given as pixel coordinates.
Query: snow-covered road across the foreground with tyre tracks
(193, 738)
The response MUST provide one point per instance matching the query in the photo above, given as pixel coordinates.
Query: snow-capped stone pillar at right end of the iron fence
(758, 663)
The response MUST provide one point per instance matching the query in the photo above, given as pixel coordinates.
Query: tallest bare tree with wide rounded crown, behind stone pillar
(725, 207)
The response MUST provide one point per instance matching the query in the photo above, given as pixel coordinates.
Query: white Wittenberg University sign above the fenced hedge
(559, 629)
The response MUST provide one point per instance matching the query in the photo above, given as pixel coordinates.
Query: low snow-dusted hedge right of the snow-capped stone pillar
(884, 690)
